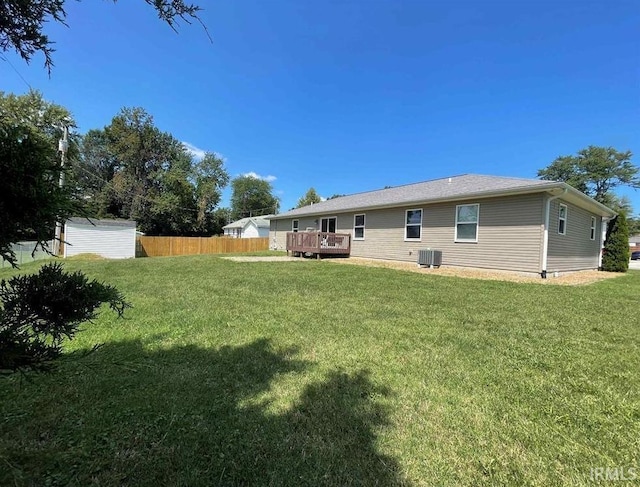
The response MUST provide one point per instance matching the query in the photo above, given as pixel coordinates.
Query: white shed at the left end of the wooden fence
(112, 239)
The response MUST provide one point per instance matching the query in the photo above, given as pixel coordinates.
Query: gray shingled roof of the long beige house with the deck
(466, 186)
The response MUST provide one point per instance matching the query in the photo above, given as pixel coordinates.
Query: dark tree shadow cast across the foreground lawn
(191, 416)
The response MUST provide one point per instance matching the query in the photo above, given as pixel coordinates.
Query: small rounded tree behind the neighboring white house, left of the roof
(252, 197)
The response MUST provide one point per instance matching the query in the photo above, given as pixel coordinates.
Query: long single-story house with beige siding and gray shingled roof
(524, 225)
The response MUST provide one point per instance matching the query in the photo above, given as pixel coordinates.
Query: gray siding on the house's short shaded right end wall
(574, 250)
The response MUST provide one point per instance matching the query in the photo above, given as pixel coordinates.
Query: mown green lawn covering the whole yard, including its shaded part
(312, 373)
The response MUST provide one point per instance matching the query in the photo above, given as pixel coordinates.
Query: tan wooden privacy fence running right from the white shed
(166, 246)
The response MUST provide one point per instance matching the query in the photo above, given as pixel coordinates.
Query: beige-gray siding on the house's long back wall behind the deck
(509, 233)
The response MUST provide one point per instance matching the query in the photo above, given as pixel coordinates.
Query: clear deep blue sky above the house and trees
(349, 96)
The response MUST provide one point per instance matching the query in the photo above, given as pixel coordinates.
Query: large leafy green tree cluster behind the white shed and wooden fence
(133, 170)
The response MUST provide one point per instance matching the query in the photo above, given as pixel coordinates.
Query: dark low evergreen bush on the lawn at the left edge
(39, 311)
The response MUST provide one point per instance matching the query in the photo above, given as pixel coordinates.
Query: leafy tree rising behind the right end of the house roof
(596, 171)
